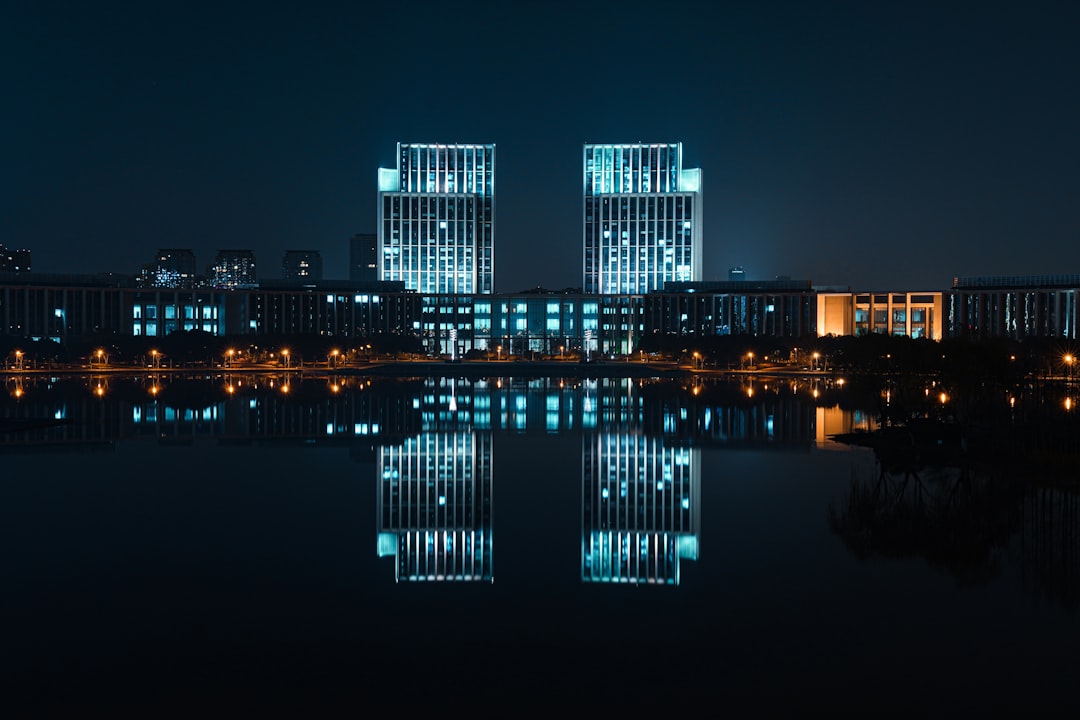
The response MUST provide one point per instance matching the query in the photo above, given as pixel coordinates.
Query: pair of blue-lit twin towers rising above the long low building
(641, 225)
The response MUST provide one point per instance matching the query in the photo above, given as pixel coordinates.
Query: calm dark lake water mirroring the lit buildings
(474, 544)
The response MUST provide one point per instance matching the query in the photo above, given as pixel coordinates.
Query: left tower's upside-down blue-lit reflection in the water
(435, 504)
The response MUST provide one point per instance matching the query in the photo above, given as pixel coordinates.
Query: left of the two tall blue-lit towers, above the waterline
(437, 219)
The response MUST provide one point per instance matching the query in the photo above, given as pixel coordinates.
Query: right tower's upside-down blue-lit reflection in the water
(640, 508)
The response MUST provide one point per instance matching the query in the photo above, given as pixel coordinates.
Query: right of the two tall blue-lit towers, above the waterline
(643, 216)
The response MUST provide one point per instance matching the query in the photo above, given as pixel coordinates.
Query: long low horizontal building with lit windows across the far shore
(67, 308)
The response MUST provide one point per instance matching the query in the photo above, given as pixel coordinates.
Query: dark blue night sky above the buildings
(872, 145)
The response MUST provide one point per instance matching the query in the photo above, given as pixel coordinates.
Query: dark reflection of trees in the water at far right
(968, 522)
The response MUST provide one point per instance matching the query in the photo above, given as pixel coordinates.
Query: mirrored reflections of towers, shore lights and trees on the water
(434, 443)
